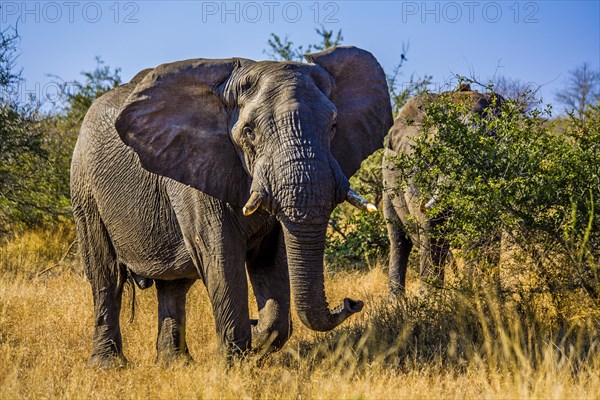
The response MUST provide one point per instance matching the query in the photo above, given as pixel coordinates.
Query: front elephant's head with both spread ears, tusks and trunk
(284, 136)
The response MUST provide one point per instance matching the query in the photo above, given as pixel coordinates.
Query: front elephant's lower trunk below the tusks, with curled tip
(305, 246)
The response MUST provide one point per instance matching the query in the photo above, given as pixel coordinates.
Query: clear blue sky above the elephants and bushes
(533, 41)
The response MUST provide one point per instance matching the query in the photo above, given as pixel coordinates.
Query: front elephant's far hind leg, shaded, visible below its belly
(171, 343)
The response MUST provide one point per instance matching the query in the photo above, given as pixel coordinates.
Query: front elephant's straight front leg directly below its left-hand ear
(217, 246)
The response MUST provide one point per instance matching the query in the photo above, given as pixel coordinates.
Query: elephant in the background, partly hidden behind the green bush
(408, 221)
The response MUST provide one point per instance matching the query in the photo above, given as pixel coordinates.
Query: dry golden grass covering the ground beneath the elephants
(443, 347)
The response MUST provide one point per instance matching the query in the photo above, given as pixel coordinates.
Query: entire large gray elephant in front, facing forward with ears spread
(164, 164)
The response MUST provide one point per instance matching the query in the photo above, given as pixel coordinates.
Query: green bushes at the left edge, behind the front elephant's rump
(36, 148)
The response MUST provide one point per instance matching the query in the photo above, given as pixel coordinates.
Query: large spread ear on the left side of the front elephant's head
(177, 124)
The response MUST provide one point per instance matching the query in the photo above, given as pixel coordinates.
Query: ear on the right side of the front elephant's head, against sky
(364, 112)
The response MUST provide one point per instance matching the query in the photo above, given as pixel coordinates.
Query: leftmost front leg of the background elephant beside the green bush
(400, 247)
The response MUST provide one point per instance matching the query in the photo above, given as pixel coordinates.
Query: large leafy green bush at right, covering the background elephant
(519, 173)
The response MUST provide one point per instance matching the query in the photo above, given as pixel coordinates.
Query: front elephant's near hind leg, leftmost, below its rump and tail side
(107, 277)
